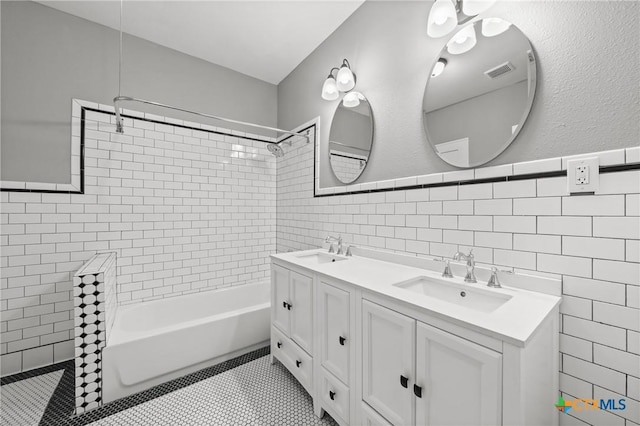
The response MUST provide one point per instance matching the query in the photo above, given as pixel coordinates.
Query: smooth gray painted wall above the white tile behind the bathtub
(50, 57)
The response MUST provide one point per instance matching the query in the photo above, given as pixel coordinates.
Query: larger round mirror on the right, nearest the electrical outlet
(479, 92)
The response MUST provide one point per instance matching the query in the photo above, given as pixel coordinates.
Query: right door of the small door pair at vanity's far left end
(301, 292)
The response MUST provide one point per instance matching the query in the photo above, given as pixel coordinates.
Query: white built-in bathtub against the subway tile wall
(157, 341)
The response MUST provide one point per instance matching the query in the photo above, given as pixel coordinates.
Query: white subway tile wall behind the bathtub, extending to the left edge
(186, 210)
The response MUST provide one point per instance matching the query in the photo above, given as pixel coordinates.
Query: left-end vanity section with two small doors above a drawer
(292, 322)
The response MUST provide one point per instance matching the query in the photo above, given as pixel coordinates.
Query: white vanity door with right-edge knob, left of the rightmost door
(388, 356)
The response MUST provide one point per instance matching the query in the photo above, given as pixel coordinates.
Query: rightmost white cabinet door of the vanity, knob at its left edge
(461, 381)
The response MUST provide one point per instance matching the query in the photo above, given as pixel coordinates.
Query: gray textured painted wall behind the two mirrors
(586, 100)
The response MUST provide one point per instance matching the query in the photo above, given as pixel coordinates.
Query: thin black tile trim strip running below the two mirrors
(603, 169)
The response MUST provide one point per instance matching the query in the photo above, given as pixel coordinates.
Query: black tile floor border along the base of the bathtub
(59, 412)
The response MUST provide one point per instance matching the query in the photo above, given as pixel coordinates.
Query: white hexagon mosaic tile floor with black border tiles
(247, 390)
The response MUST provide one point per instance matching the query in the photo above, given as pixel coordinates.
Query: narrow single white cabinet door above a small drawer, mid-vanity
(334, 317)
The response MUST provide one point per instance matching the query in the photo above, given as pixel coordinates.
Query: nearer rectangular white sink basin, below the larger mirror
(479, 299)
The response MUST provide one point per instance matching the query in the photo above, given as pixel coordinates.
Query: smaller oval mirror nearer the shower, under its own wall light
(350, 137)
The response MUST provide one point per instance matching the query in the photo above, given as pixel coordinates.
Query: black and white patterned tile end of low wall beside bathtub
(90, 338)
